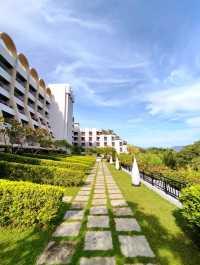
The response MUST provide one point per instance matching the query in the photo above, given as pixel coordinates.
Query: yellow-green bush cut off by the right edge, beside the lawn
(190, 197)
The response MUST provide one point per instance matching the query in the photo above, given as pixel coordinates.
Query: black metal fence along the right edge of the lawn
(169, 186)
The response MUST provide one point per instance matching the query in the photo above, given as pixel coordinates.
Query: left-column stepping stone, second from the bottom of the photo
(67, 229)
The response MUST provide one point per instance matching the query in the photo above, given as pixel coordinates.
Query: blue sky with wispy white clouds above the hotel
(134, 65)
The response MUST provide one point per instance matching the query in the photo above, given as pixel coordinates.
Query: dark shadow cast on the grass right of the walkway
(165, 244)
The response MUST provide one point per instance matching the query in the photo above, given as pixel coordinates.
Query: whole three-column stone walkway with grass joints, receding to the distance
(107, 226)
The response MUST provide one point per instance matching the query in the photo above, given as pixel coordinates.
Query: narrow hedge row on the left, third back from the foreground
(43, 162)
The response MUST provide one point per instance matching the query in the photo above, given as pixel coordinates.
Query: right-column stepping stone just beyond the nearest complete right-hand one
(127, 224)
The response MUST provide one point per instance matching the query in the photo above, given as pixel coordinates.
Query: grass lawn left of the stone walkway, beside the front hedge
(22, 247)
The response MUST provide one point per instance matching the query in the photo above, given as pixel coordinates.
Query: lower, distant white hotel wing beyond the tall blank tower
(92, 137)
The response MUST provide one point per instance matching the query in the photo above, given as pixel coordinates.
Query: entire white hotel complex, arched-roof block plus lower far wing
(25, 97)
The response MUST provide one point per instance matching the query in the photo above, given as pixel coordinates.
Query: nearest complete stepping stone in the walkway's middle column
(98, 240)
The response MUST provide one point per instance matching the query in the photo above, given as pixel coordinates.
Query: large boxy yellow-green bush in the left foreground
(25, 204)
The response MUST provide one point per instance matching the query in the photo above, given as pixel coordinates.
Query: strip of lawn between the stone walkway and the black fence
(161, 223)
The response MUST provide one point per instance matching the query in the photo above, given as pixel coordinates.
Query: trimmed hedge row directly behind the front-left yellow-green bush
(40, 174)
